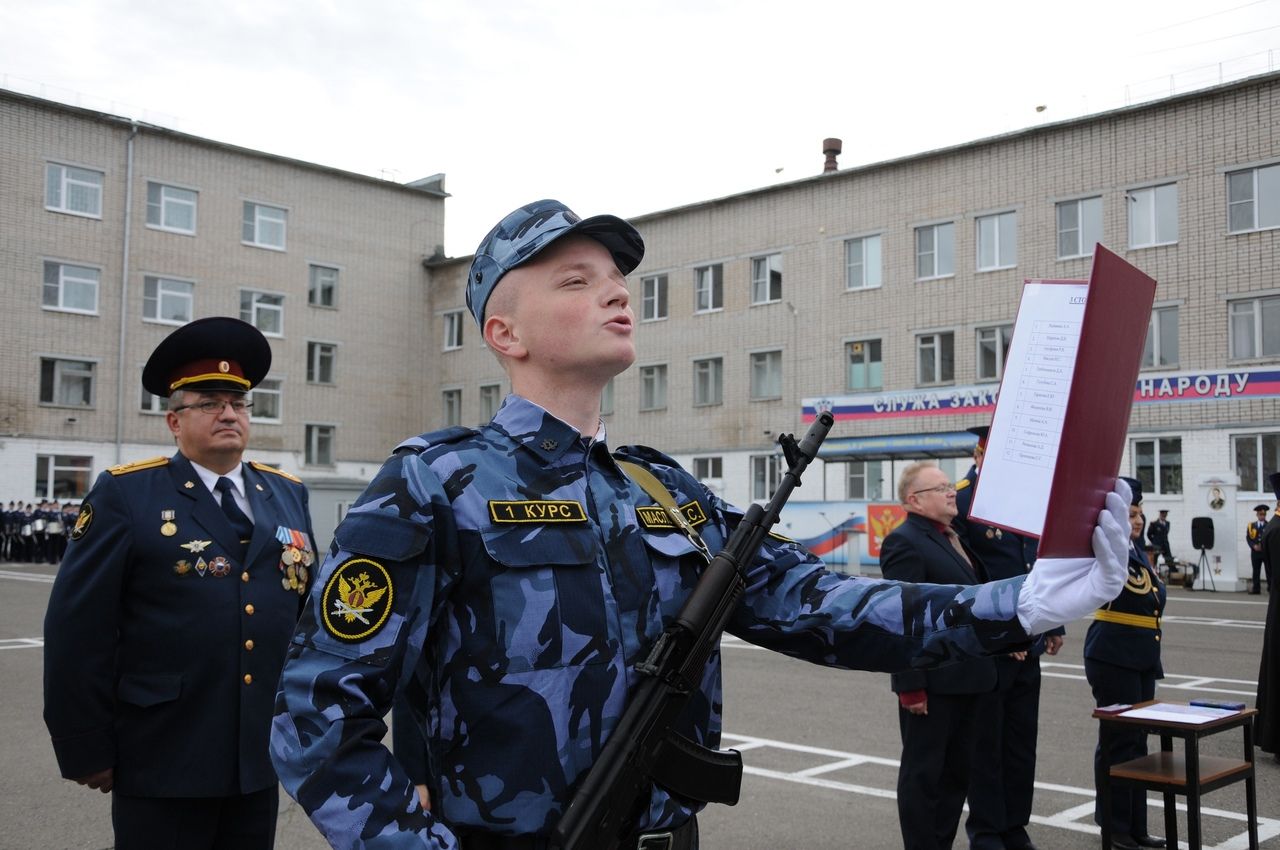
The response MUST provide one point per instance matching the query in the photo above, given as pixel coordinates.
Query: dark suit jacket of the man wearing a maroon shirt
(920, 554)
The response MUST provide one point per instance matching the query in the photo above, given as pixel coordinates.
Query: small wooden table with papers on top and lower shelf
(1172, 774)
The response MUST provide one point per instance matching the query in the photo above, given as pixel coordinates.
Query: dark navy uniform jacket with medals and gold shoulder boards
(163, 647)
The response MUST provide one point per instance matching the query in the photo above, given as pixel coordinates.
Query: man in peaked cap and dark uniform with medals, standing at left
(170, 618)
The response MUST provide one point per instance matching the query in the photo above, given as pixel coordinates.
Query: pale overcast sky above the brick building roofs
(616, 108)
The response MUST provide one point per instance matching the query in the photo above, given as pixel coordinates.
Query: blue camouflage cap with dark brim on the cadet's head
(525, 232)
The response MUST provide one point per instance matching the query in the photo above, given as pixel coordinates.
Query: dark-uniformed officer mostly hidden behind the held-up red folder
(1004, 762)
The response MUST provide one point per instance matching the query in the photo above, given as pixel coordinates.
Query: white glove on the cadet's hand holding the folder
(1060, 591)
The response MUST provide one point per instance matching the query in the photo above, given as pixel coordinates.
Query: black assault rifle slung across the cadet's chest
(644, 748)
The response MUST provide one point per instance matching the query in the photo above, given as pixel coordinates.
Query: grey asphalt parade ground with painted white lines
(821, 746)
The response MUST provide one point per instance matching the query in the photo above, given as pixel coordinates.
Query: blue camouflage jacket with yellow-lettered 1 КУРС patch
(508, 581)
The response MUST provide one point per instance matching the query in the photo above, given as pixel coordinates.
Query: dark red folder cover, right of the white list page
(1117, 317)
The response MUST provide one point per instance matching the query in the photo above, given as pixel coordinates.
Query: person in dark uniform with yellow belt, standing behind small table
(1122, 662)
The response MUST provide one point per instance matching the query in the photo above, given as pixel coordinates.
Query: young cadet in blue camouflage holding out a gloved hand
(506, 581)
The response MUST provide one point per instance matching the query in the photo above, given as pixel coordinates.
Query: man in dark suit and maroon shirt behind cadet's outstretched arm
(936, 707)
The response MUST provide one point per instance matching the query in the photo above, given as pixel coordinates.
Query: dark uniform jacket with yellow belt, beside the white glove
(1126, 633)
